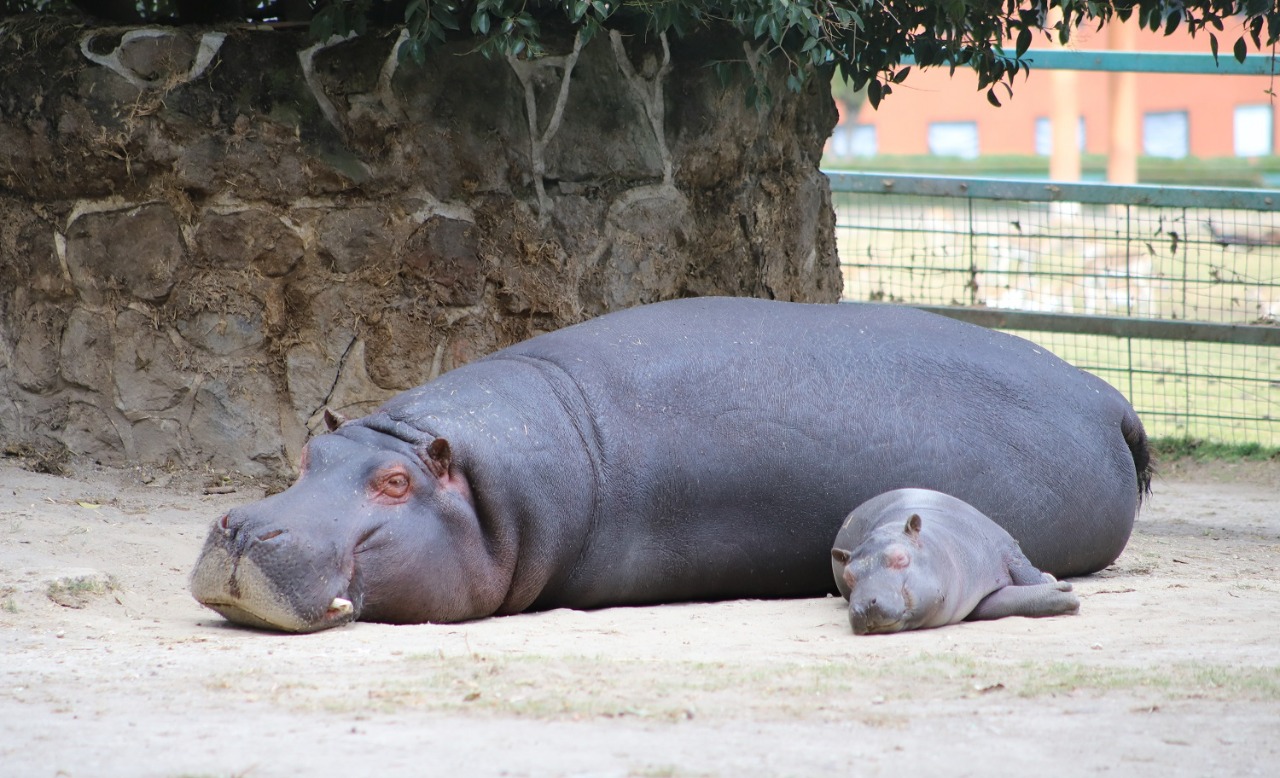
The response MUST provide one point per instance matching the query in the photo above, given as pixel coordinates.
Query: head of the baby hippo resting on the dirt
(886, 592)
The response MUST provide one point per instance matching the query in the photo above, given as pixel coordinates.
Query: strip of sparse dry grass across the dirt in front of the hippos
(669, 692)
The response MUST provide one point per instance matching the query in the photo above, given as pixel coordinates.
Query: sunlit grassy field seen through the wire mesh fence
(1073, 260)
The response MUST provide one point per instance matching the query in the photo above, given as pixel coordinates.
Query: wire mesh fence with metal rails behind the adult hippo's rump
(1172, 295)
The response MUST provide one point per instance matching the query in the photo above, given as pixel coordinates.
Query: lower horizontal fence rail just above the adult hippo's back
(1119, 327)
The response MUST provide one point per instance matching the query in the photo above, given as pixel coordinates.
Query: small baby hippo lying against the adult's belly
(916, 559)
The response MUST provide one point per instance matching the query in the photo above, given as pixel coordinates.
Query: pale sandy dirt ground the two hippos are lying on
(111, 669)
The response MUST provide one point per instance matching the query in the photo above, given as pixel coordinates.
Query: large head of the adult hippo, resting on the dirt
(374, 529)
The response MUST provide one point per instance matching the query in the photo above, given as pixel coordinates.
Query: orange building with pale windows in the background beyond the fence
(1178, 116)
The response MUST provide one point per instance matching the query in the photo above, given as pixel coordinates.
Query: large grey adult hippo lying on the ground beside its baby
(694, 450)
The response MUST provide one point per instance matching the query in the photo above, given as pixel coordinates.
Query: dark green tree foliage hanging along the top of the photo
(866, 42)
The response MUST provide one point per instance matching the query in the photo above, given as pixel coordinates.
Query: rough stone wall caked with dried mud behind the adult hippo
(209, 236)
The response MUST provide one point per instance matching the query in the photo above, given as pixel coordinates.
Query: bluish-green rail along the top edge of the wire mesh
(1000, 189)
